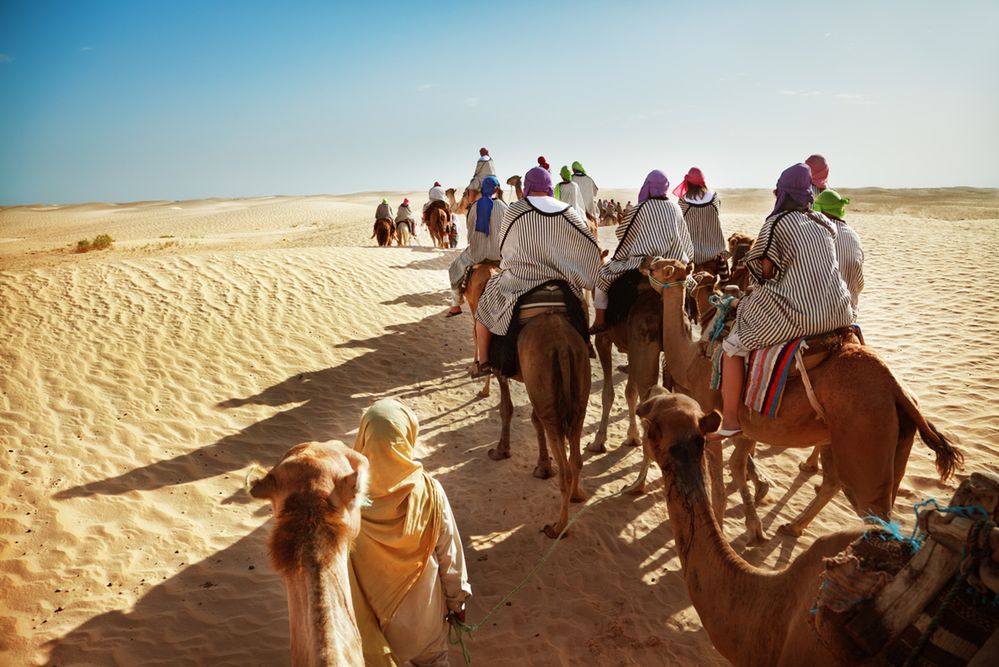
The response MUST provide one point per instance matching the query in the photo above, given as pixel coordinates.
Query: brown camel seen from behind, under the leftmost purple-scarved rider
(555, 367)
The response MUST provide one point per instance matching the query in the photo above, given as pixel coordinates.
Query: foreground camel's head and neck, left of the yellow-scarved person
(317, 490)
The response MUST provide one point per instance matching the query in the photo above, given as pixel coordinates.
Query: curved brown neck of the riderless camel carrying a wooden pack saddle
(733, 599)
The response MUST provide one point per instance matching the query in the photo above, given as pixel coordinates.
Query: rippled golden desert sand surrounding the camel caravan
(140, 383)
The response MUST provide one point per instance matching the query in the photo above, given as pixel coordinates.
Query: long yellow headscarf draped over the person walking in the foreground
(400, 527)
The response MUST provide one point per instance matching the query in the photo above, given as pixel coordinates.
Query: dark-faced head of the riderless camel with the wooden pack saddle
(674, 428)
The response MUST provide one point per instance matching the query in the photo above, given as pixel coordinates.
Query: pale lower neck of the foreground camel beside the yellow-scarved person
(321, 613)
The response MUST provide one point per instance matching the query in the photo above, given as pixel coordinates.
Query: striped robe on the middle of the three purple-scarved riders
(654, 228)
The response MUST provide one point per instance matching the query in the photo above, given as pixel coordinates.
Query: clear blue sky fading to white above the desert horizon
(139, 100)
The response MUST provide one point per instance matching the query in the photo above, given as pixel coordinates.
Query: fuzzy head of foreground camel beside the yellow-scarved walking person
(317, 490)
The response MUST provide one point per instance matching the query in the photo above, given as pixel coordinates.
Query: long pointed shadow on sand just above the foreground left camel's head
(327, 404)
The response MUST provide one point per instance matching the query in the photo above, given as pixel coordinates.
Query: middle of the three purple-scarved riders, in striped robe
(654, 228)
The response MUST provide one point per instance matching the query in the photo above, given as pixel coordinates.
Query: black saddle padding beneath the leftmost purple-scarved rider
(554, 296)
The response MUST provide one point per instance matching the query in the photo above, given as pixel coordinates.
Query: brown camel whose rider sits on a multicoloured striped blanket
(870, 433)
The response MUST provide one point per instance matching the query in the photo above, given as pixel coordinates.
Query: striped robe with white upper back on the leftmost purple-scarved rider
(536, 247)
